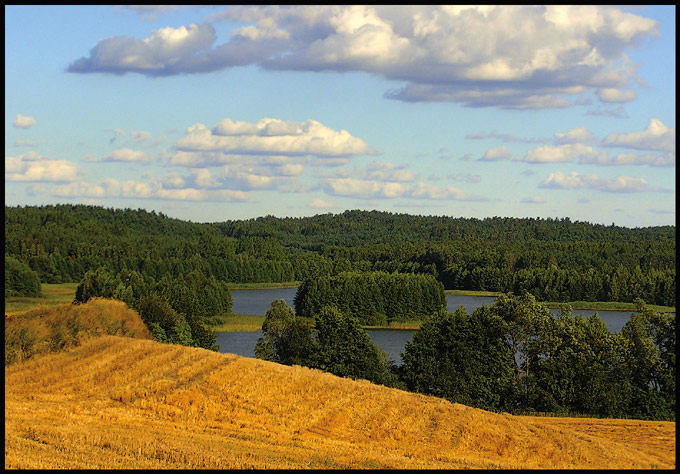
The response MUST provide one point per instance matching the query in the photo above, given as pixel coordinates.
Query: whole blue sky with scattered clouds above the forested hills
(213, 113)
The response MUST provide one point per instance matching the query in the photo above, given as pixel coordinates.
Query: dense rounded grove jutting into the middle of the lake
(374, 298)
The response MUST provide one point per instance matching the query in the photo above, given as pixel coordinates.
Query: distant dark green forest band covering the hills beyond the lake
(553, 259)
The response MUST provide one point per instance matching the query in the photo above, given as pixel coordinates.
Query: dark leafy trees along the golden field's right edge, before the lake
(512, 356)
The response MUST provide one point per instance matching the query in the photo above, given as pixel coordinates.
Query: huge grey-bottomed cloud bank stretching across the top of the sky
(517, 56)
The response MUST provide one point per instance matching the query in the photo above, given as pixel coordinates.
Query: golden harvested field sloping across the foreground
(114, 402)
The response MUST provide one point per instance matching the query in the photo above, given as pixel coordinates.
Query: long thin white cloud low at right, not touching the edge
(619, 184)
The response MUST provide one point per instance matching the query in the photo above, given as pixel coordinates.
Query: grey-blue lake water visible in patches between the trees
(392, 341)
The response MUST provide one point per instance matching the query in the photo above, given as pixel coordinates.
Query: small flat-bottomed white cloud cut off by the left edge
(34, 167)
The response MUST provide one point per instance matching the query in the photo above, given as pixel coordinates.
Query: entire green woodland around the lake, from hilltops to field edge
(361, 268)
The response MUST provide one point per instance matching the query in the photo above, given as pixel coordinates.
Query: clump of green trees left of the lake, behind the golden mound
(176, 310)
